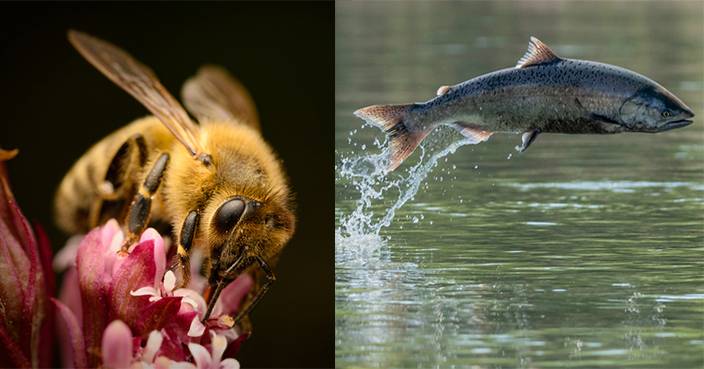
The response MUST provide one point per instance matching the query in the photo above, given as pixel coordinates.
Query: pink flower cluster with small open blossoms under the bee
(124, 310)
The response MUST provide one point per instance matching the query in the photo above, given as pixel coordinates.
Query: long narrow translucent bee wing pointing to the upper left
(139, 81)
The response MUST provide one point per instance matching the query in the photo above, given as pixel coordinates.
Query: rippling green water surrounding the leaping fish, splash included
(583, 252)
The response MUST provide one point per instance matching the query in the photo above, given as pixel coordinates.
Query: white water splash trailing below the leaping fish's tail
(367, 176)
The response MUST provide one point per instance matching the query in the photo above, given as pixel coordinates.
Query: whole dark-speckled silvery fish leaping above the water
(543, 93)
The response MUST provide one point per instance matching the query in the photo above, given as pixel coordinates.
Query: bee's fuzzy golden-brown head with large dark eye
(242, 229)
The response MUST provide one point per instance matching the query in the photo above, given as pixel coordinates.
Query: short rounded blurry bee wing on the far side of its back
(213, 94)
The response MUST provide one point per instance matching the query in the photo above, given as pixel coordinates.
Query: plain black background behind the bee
(54, 105)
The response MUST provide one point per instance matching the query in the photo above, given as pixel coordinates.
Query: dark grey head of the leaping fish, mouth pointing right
(654, 109)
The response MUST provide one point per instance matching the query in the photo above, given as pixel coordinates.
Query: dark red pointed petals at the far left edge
(26, 284)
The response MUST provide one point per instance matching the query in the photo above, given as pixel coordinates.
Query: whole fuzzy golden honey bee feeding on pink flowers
(217, 183)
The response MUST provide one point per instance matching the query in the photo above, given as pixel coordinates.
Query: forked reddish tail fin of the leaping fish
(404, 137)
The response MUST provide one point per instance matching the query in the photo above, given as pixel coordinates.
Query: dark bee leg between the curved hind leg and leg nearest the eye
(140, 209)
